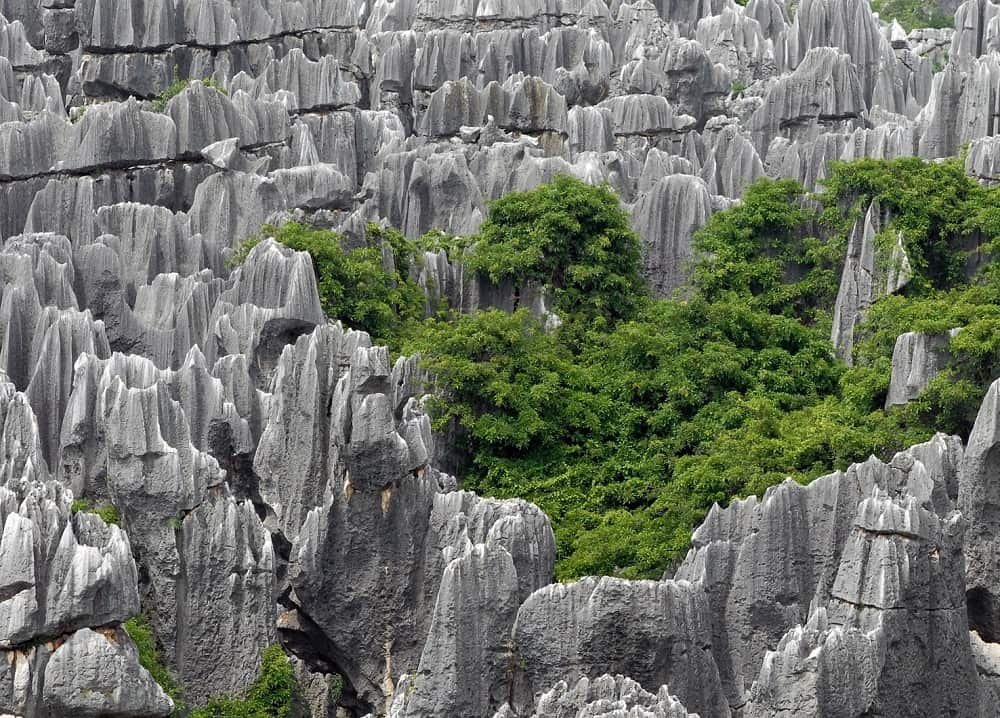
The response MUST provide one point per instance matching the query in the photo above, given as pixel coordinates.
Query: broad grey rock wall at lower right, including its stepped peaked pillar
(843, 581)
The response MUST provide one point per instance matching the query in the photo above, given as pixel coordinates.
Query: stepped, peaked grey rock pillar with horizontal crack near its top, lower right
(896, 603)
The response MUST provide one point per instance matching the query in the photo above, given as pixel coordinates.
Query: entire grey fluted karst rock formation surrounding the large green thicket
(277, 476)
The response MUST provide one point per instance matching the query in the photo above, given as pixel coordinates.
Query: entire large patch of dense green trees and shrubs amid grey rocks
(630, 419)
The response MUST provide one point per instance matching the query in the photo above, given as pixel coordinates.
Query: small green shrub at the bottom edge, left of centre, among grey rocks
(272, 695)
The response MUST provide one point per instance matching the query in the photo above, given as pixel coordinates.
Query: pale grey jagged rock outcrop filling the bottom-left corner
(67, 583)
